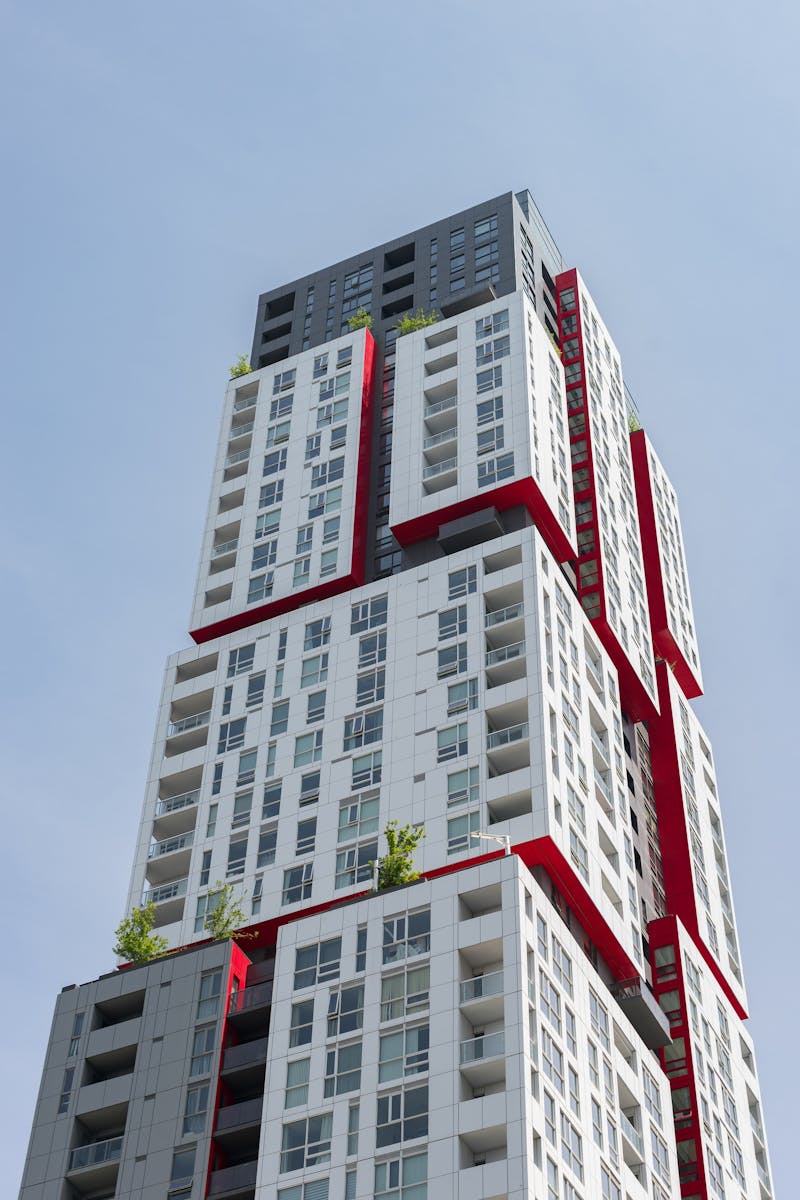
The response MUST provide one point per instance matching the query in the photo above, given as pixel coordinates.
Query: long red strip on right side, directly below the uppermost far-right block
(673, 831)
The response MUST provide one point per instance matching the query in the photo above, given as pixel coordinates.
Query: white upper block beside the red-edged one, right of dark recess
(497, 353)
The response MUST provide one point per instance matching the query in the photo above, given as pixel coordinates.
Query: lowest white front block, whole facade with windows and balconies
(488, 1048)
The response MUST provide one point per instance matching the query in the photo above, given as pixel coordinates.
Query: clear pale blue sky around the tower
(165, 164)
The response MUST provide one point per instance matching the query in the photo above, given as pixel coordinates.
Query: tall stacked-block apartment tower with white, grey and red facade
(442, 583)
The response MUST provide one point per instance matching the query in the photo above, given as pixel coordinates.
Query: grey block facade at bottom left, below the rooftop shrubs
(131, 1076)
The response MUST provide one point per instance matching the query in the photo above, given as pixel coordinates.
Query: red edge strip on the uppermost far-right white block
(663, 639)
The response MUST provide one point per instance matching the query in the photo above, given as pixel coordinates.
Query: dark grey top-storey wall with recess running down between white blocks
(287, 322)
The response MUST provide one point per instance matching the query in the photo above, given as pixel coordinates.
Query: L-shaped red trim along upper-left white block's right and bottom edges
(357, 574)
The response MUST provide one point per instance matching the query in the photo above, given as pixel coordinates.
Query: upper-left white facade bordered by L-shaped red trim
(237, 506)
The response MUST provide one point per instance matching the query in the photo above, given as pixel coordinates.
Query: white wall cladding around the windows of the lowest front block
(486, 920)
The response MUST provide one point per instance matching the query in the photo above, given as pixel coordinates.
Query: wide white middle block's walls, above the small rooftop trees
(540, 675)
